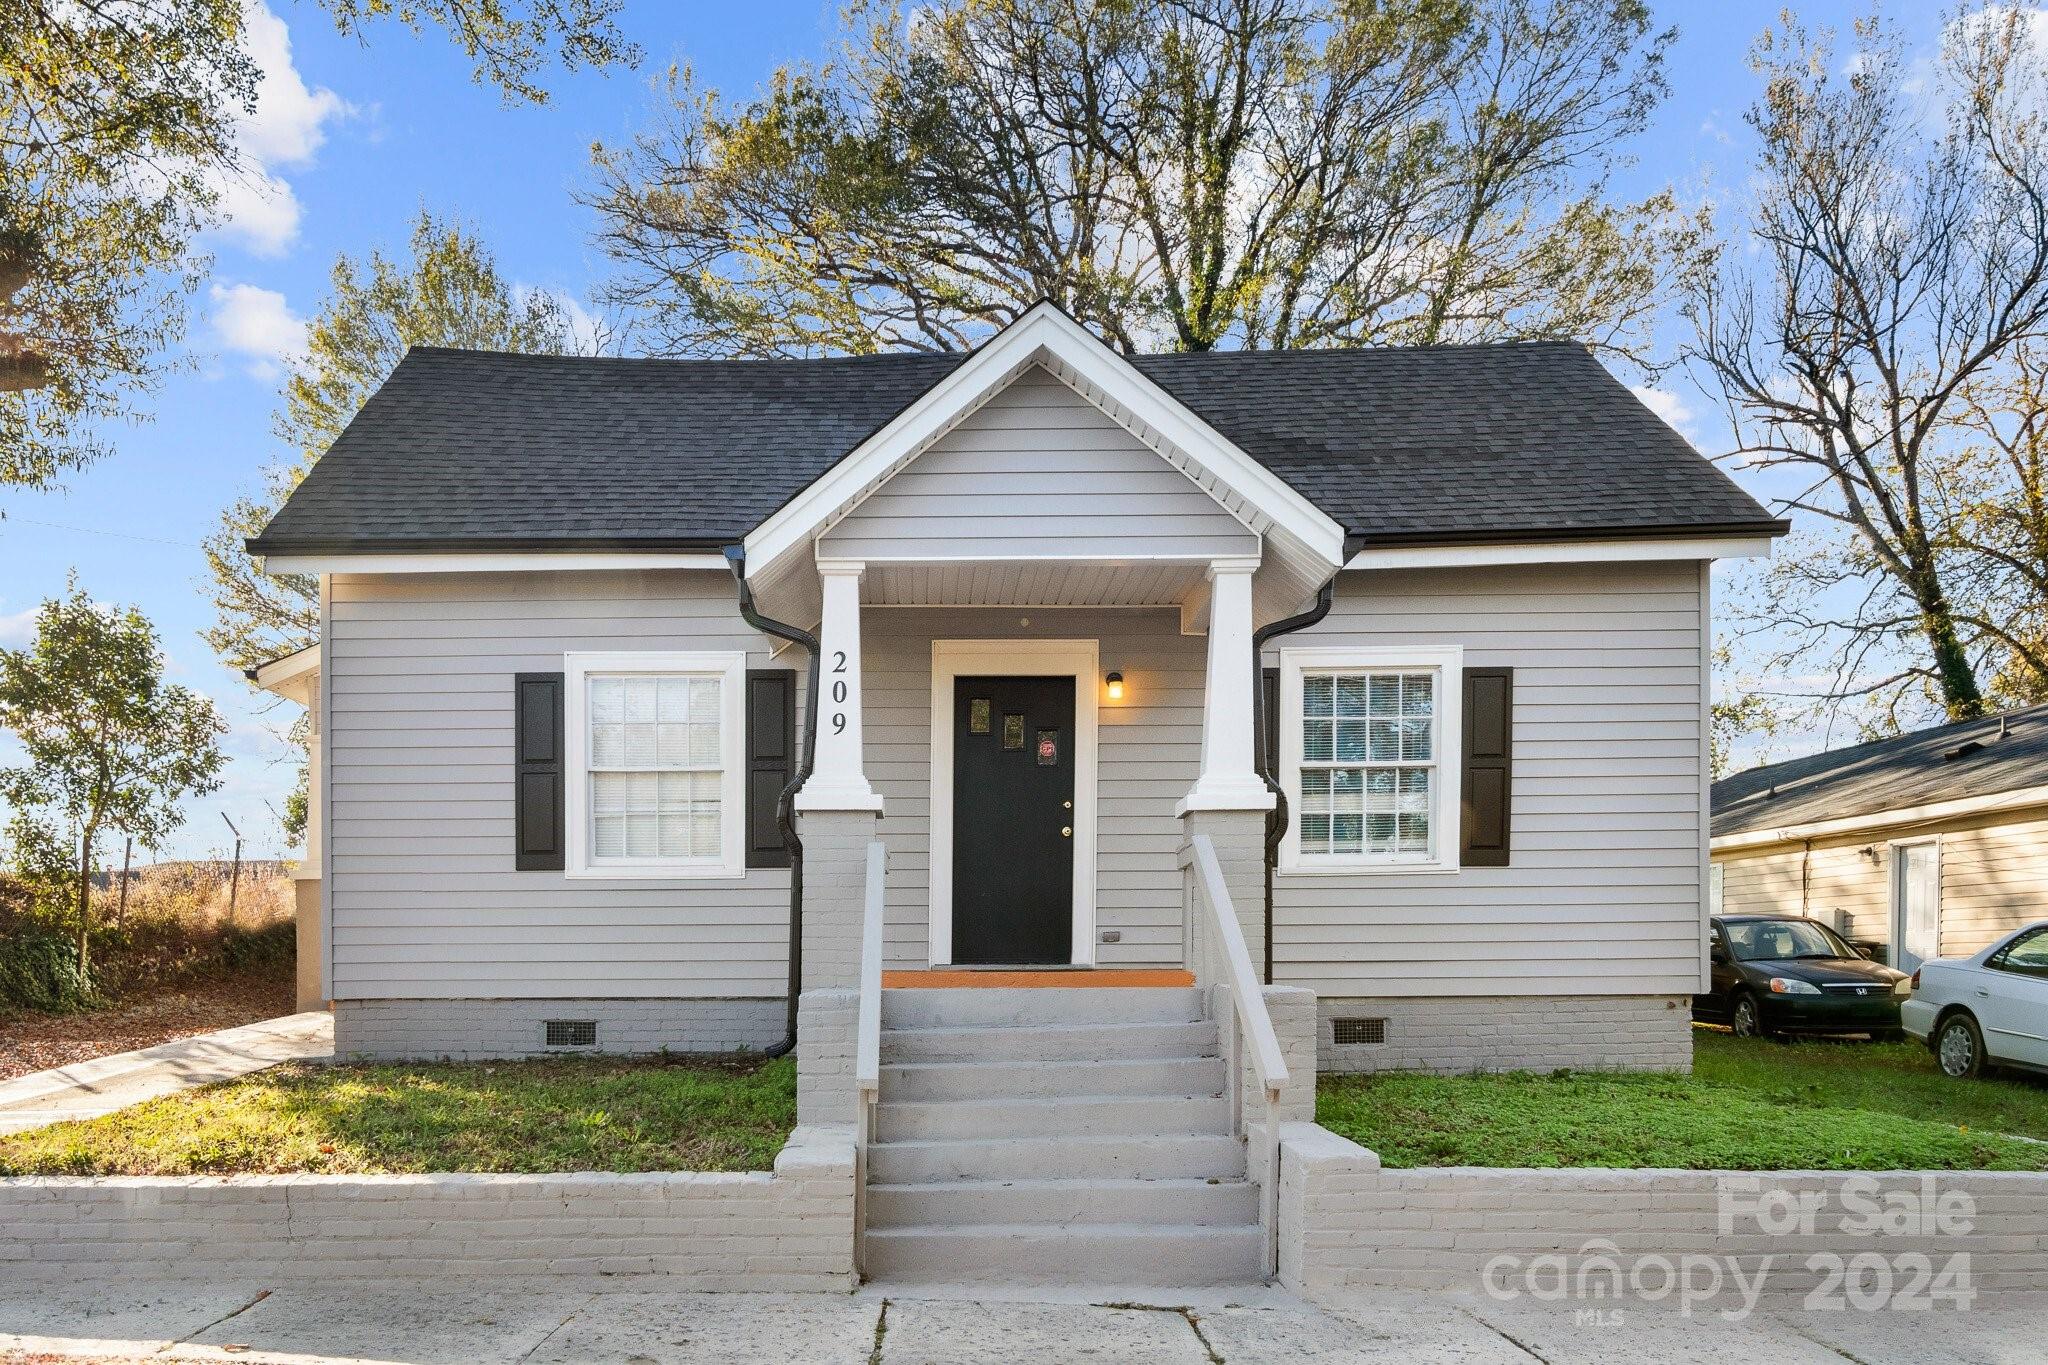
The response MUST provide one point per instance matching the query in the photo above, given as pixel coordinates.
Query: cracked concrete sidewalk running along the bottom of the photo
(470, 1323)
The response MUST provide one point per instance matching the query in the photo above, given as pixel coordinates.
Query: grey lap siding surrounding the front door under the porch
(1150, 754)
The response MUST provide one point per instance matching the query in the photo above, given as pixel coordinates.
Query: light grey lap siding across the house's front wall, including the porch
(1603, 897)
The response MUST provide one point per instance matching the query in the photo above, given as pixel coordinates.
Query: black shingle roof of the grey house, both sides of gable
(472, 451)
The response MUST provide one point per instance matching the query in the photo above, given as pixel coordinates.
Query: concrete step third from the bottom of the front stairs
(1050, 1159)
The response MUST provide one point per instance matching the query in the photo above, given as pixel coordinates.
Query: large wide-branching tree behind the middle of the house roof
(1175, 173)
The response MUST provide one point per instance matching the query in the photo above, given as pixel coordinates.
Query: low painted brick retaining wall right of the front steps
(1349, 1225)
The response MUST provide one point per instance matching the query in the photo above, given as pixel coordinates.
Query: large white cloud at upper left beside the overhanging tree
(259, 208)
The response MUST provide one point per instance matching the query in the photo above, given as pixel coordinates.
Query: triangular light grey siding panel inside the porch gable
(1037, 472)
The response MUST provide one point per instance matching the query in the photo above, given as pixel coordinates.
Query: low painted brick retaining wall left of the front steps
(710, 1231)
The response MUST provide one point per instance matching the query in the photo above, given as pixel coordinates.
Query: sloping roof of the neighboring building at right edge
(1926, 768)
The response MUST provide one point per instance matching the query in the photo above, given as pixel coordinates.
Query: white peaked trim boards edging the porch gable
(1048, 337)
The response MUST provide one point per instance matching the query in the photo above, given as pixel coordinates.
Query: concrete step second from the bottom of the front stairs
(957, 1204)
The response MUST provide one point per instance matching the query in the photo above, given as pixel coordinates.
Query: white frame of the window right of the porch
(1445, 813)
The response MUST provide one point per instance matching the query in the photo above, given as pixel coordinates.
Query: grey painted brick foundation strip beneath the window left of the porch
(509, 1028)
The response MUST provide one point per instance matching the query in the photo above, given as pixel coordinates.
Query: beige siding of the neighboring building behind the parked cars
(1994, 879)
